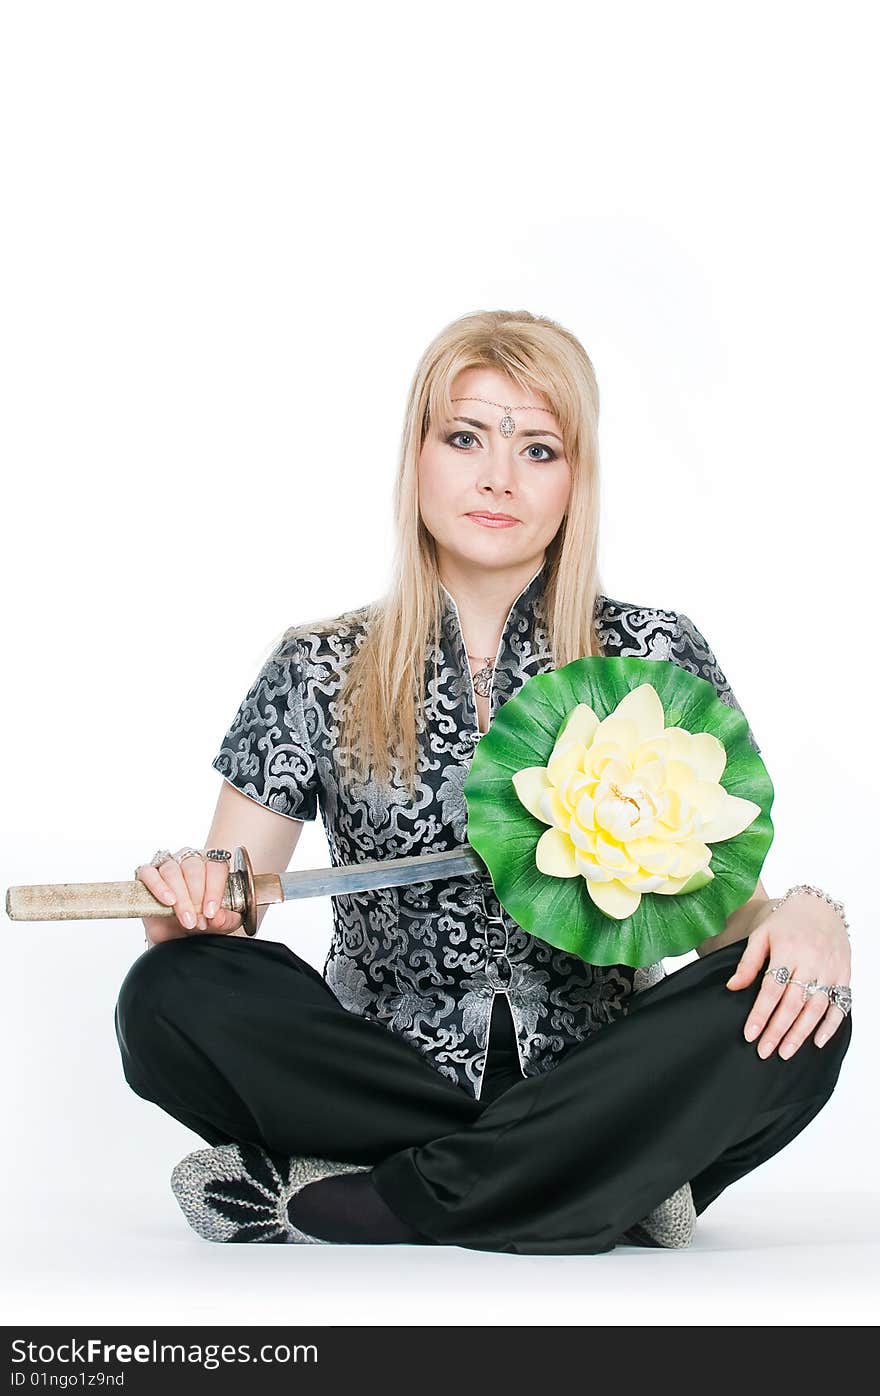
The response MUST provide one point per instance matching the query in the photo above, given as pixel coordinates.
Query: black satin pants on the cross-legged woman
(244, 1041)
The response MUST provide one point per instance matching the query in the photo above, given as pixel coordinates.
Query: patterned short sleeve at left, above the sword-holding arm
(266, 753)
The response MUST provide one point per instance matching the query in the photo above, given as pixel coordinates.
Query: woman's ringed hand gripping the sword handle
(193, 887)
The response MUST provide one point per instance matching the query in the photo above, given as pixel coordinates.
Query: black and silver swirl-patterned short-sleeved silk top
(427, 961)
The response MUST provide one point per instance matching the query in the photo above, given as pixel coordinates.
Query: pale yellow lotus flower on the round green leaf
(632, 805)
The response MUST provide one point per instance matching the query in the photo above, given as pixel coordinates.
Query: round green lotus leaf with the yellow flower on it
(621, 809)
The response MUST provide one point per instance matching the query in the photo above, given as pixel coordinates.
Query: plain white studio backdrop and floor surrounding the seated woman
(228, 234)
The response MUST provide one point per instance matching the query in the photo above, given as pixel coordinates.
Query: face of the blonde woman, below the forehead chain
(470, 467)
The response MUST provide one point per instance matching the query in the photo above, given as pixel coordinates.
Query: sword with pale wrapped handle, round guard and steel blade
(245, 893)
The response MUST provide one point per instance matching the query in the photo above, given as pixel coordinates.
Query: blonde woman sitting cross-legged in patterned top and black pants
(450, 1078)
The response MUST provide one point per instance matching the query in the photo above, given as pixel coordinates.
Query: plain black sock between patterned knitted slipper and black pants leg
(347, 1208)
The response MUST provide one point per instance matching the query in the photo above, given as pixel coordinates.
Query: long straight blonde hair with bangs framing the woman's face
(385, 688)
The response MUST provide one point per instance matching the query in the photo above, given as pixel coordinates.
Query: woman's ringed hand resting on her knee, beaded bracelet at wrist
(809, 937)
